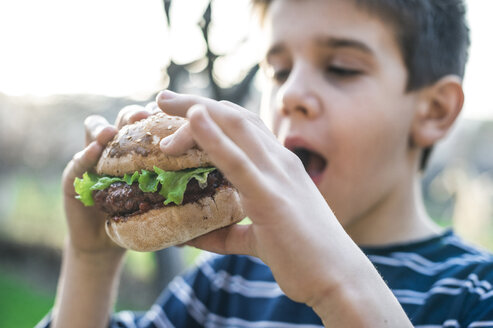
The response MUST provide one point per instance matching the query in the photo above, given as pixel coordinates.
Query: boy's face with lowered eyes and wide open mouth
(337, 98)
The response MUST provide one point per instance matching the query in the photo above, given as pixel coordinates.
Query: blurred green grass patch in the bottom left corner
(20, 304)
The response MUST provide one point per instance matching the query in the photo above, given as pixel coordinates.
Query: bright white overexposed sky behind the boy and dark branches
(118, 47)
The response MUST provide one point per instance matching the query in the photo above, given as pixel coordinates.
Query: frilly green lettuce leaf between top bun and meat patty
(173, 183)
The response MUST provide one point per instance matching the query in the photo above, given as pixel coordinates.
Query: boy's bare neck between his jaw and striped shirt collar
(398, 218)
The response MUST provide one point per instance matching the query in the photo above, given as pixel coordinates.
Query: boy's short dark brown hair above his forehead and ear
(433, 37)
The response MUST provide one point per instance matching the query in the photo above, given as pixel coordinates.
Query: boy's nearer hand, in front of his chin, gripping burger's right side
(293, 229)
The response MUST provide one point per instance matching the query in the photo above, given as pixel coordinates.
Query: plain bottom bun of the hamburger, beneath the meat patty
(173, 225)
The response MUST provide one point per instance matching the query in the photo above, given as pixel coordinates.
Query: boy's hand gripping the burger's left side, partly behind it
(86, 224)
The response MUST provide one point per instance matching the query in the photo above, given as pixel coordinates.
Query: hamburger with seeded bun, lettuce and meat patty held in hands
(153, 200)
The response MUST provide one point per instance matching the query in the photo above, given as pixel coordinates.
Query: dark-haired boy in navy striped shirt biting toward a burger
(358, 90)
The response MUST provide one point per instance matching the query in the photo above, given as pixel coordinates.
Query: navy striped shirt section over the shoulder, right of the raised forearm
(439, 279)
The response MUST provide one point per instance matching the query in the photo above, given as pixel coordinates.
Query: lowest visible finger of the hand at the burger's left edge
(82, 162)
